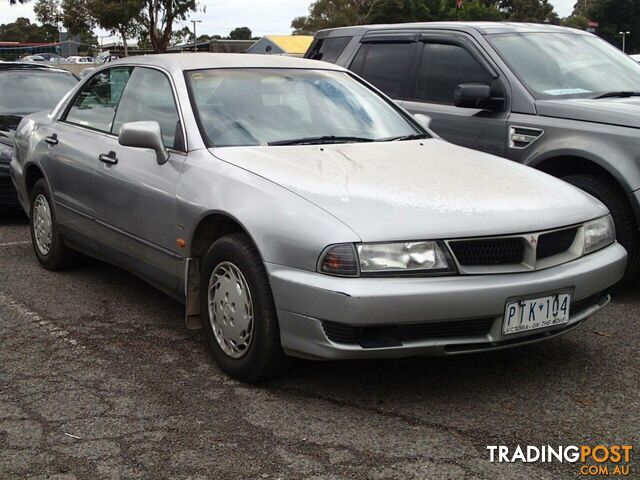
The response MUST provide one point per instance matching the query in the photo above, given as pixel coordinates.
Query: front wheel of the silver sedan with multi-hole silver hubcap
(239, 315)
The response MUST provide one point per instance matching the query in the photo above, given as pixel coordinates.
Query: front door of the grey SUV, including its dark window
(444, 62)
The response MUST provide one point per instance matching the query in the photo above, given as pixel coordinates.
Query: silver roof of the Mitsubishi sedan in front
(197, 61)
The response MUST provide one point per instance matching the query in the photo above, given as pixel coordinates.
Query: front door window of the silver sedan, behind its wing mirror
(148, 96)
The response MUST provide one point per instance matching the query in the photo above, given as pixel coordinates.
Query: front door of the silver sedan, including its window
(135, 195)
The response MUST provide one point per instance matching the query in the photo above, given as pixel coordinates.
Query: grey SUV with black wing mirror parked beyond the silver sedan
(554, 98)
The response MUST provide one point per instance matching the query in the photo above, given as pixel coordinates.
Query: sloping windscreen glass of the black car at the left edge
(28, 90)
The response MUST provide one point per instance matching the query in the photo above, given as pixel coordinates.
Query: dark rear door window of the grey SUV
(385, 65)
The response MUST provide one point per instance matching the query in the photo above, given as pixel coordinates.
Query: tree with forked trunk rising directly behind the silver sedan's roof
(158, 17)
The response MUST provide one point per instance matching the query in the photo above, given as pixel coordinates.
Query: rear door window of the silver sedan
(95, 105)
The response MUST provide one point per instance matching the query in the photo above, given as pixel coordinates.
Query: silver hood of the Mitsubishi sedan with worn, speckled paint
(424, 189)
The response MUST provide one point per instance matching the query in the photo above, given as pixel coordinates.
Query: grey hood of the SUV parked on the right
(613, 111)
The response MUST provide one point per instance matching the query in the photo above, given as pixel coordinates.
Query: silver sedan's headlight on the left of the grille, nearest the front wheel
(427, 257)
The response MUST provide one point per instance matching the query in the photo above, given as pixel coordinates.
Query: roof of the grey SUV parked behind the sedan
(484, 28)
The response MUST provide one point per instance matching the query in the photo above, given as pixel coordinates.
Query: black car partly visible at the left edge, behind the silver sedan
(25, 88)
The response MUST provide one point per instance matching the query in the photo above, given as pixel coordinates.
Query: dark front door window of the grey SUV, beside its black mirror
(443, 67)
